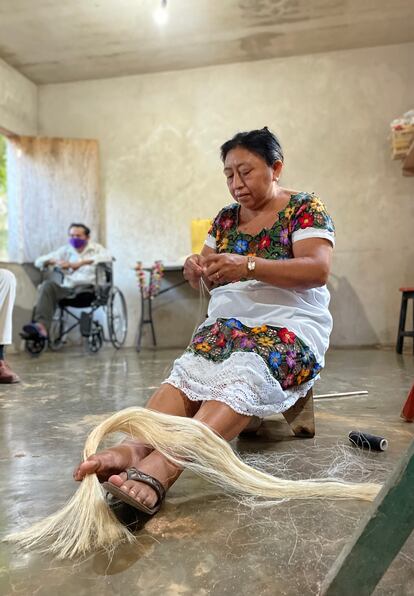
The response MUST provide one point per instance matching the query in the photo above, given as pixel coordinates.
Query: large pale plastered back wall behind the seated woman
(159, 137)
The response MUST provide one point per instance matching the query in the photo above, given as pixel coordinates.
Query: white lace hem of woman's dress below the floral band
(242, 381)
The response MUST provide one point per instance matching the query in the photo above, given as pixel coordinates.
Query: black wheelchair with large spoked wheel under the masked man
(103, 294)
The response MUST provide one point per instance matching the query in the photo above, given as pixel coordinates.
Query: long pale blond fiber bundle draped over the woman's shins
(86, 524)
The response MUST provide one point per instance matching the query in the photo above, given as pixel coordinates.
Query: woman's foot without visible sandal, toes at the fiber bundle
(104, 464)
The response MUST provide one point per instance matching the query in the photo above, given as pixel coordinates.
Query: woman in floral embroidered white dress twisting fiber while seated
(266, 261)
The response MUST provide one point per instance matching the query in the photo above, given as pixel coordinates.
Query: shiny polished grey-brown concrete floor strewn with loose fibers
(202, 542)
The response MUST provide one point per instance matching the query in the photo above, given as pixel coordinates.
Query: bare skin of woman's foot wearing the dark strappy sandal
(155, 465)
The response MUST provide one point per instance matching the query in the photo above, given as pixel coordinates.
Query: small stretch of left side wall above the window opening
(18, 102)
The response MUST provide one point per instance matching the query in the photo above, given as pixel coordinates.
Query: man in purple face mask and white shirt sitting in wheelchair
(77, 261)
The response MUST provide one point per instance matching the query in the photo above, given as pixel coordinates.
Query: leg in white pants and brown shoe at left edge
(7, 296)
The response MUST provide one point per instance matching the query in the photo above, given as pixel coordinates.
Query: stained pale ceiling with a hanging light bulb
(54, 41)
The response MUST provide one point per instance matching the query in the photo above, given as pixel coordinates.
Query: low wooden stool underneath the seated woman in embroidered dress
(300, 418)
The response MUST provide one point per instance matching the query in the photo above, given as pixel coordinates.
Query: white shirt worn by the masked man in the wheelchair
(85, 275)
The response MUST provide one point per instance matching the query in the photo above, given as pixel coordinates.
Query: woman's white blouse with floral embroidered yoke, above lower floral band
(255, 303)
